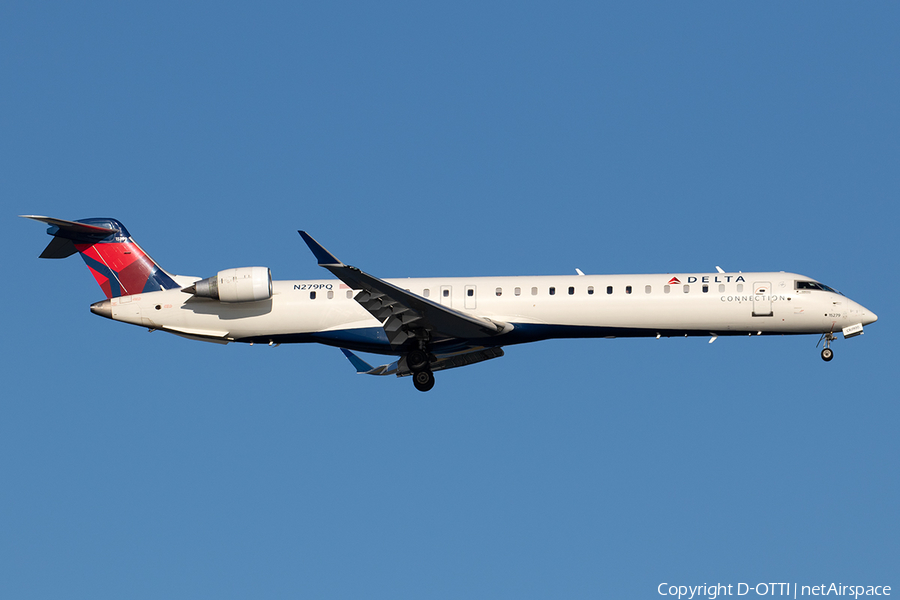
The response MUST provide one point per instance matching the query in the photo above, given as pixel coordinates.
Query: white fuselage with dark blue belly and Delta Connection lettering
(539, 307)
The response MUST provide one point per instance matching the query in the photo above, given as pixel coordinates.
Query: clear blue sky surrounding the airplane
(448, 139)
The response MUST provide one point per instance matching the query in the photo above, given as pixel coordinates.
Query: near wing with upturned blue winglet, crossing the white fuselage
(404, 315)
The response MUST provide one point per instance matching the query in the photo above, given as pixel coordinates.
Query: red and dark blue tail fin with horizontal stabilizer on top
(118, 264)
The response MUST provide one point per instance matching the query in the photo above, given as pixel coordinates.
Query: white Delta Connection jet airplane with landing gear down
(433, 324)
